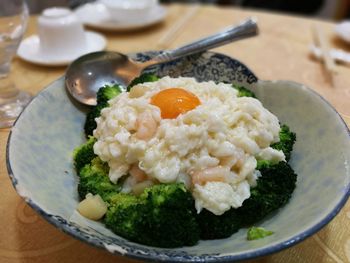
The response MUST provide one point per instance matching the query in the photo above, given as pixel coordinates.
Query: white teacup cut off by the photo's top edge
(129, 10)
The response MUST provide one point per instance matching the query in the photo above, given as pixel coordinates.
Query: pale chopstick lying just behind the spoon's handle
(166, 40)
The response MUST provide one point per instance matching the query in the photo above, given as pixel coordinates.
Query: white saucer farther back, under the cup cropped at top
(96, 15)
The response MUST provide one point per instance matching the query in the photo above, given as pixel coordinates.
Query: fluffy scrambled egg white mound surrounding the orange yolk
(212, 148)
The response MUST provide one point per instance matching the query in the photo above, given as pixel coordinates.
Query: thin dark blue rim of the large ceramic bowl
(67, 226)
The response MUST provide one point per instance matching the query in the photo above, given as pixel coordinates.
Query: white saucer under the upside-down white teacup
(29, 50)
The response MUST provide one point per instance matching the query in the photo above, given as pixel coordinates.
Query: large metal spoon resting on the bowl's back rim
(92, 71)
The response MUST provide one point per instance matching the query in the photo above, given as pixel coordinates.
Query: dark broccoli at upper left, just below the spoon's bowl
(104, 94)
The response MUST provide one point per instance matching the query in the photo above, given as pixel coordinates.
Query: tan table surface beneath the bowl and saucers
(280, 52)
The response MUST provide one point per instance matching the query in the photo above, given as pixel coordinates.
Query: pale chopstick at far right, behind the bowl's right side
(320, 40)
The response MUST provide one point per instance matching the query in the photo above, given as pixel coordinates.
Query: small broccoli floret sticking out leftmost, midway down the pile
(84, 154)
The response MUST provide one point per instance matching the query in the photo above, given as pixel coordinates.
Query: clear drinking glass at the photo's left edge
(13, 22)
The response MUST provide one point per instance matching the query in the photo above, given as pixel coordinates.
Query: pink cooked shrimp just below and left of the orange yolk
(146, 126)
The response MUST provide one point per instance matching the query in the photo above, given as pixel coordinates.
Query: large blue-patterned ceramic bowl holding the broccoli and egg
(39, 160)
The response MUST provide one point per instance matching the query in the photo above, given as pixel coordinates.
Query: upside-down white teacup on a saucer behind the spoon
(61, 34)
